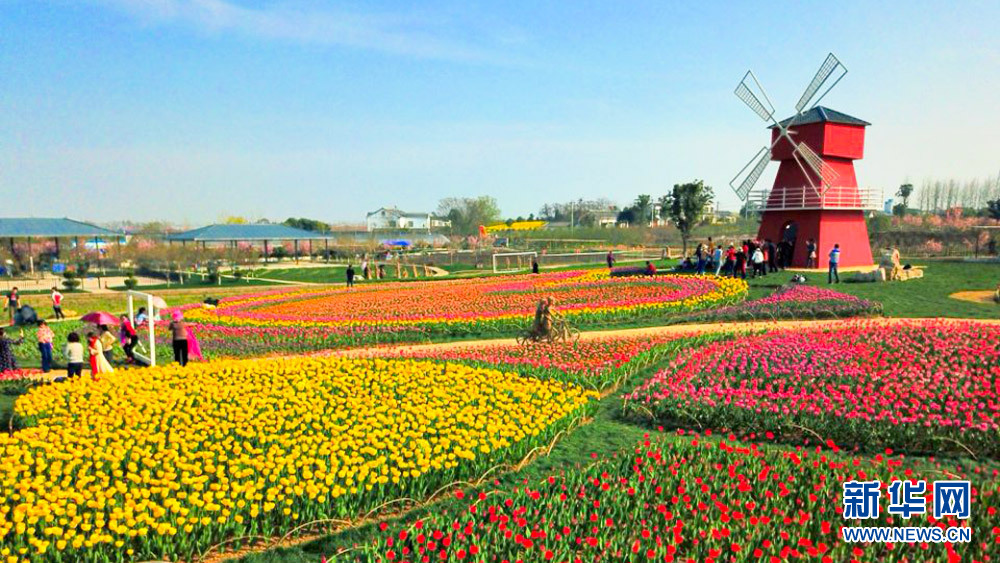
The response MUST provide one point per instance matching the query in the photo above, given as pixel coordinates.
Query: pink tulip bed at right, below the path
(925, 386)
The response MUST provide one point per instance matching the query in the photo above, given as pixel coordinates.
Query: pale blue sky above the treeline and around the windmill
(188, 110)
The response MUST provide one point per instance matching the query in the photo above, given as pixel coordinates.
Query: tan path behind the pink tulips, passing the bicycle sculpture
(702, 328)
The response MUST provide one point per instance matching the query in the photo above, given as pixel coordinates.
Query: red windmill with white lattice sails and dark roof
(815, 193)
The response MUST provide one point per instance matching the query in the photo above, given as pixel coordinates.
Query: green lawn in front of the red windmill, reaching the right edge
(924, 297)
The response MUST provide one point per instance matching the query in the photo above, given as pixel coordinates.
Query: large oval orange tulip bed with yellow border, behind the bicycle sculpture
(481, 306)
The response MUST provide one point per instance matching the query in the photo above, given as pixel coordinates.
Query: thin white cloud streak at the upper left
(406, 35)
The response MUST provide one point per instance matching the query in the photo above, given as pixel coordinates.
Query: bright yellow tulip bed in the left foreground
(165, 462)
